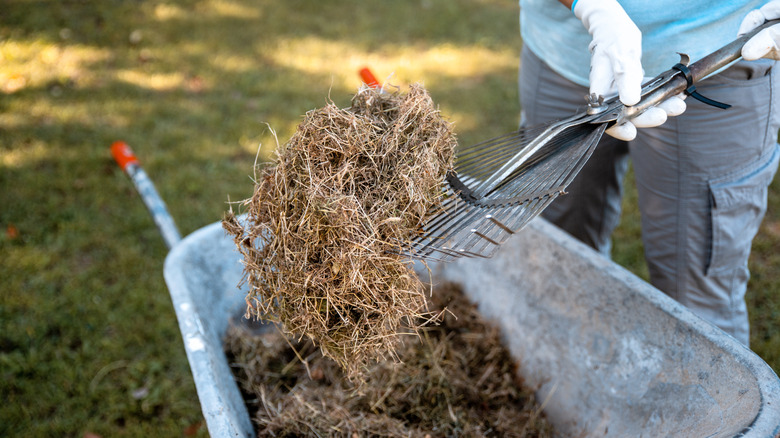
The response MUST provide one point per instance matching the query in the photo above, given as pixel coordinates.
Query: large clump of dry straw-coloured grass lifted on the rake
(327, 219)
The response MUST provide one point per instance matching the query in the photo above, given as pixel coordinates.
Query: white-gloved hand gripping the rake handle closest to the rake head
(616, 62)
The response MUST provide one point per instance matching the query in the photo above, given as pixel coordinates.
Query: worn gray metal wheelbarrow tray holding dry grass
(609, 354)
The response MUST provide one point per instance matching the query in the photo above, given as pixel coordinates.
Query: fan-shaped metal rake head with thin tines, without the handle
(498, 186)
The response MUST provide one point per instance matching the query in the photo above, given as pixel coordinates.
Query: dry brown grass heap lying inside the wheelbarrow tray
(457, 379)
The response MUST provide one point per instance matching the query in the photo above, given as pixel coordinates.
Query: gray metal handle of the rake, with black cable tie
(698, 71)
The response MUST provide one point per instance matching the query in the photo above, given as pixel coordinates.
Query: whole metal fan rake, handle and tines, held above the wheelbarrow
(498, 186)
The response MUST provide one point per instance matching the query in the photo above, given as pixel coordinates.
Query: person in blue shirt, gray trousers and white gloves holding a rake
(702, 173)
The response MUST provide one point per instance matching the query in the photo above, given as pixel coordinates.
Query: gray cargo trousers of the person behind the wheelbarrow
(702, 180)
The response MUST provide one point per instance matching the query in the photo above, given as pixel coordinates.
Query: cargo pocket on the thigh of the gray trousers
(738, 204)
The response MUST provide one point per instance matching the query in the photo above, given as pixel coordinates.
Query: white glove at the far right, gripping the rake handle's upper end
(765, 44)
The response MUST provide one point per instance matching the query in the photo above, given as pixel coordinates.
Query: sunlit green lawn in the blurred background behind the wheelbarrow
(89, 342)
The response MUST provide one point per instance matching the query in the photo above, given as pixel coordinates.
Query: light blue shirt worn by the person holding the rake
(695, 27)
